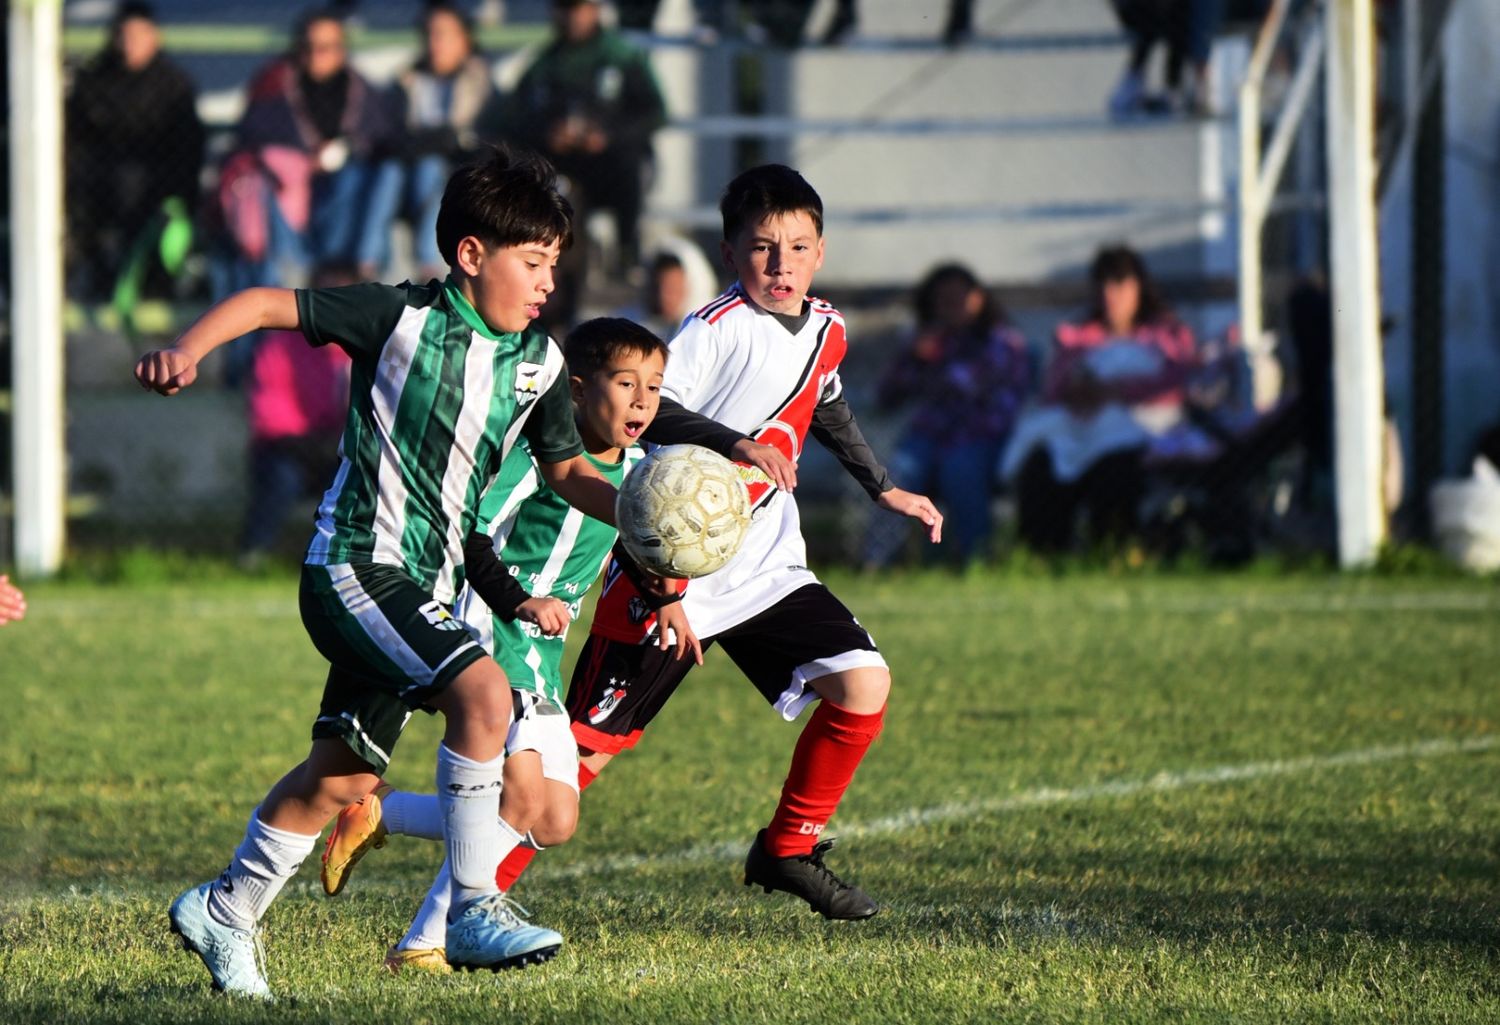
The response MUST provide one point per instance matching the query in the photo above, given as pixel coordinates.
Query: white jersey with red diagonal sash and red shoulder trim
(740, 365)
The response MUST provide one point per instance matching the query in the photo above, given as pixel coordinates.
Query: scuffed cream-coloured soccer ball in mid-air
(683, 511)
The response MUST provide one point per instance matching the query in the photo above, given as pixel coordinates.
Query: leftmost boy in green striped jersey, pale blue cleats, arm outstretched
(446, 377)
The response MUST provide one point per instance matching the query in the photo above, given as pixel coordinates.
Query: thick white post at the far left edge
(37, 284)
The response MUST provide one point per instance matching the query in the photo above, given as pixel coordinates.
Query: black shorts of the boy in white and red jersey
(619, 688)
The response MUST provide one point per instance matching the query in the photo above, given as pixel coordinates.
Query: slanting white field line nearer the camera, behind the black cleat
(1046, 796)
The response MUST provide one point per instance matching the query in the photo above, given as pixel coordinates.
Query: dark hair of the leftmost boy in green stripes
(505, 199)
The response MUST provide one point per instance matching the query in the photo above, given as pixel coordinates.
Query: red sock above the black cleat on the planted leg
(827, 754)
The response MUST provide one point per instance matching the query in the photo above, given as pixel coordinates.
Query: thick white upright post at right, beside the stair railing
(1358, 380)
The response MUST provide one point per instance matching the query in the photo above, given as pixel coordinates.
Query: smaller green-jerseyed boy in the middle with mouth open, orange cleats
(529, 568)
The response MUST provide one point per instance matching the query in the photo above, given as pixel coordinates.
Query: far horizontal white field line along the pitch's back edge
(1325, 603)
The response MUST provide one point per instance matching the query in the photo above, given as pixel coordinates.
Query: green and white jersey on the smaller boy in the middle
(553, 550)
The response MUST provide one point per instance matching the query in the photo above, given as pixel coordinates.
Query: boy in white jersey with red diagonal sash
(761, 359)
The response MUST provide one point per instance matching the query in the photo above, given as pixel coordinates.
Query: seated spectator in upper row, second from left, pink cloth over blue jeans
(298, 185)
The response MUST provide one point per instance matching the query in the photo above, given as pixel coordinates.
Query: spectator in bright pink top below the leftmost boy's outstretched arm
(296, 398)
